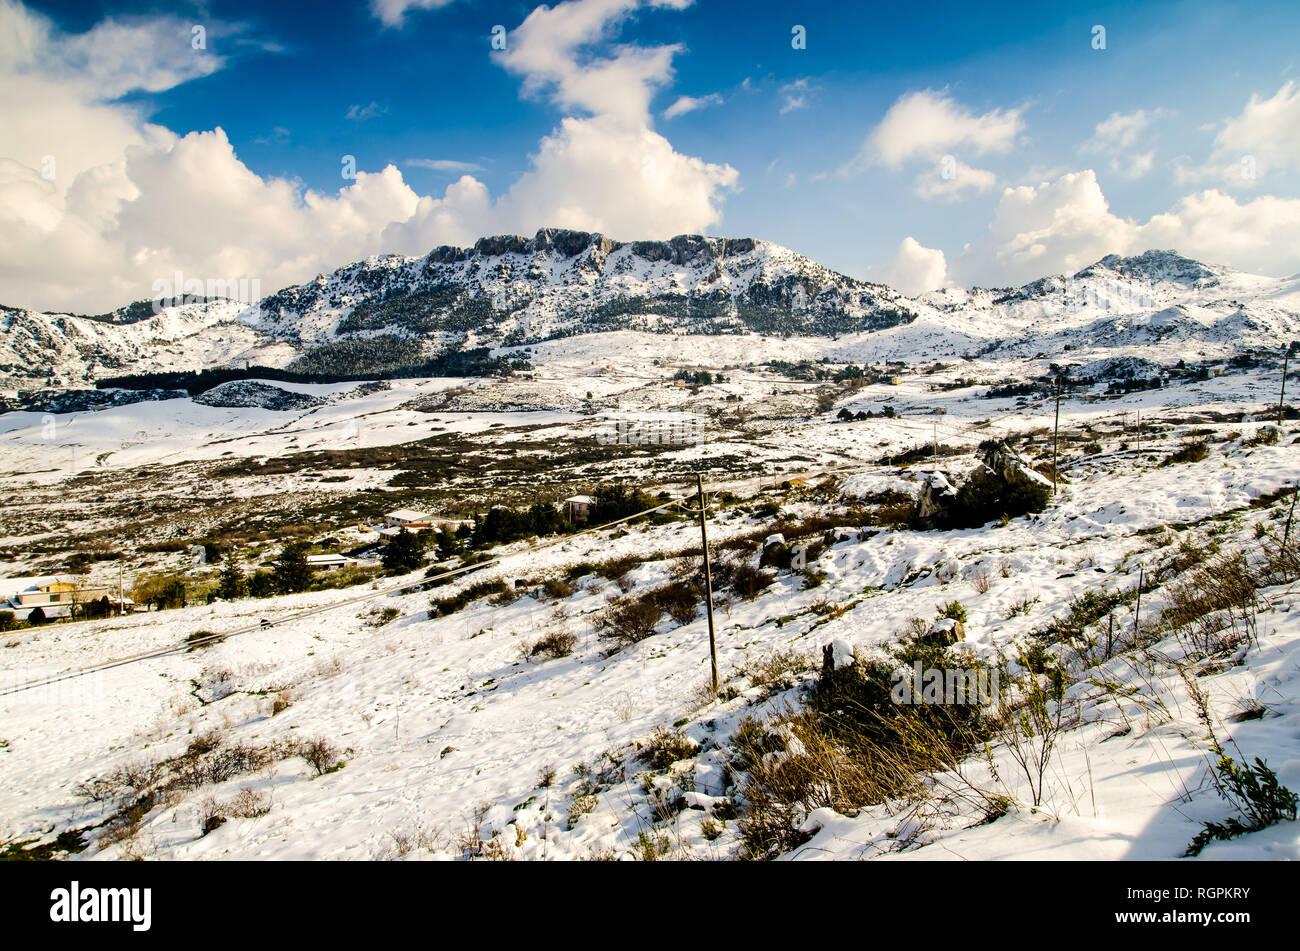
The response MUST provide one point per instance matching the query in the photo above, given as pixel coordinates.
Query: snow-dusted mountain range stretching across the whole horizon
(510, 292)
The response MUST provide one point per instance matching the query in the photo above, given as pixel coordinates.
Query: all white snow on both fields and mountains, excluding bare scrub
(434, 716)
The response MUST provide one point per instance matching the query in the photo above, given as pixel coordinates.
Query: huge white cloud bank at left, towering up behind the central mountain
(97, 203)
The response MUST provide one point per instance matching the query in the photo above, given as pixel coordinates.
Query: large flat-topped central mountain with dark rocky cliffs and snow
(514, 290)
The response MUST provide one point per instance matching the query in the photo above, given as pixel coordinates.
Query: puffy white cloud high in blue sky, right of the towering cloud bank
(929, 124)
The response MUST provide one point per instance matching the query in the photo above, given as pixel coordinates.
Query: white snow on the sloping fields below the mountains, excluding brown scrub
(452, 736)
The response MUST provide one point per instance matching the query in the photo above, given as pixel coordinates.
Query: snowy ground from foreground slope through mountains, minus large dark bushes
(369, 722)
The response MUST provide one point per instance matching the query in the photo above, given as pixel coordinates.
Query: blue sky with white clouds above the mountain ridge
(837, 150)
